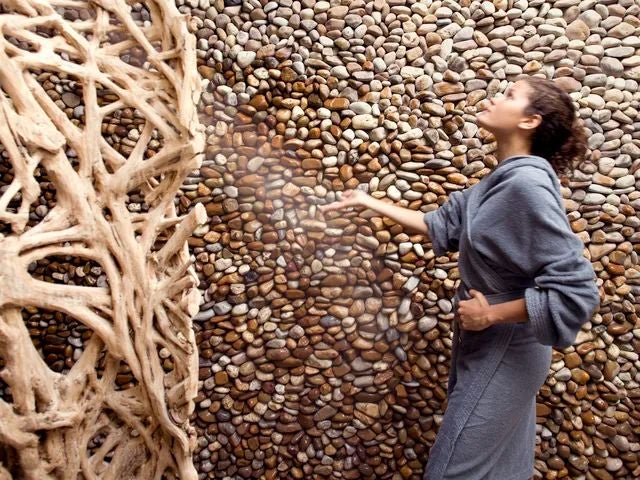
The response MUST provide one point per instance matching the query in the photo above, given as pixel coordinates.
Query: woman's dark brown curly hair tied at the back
(560, 137)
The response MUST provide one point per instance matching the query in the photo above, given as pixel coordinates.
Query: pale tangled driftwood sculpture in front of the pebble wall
(79, 424)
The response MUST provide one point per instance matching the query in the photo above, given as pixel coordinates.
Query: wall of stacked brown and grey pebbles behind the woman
(325, 340)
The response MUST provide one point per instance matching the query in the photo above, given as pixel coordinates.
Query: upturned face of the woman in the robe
(505, 114)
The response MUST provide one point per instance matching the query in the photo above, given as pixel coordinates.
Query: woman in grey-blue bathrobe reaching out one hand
(525, 288)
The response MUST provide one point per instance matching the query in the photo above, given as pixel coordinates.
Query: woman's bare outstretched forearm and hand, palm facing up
(404, 216)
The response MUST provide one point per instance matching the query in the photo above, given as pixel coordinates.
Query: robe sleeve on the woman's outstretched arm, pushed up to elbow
(445, 223)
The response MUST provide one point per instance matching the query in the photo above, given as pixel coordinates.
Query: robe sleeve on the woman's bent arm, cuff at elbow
(533, 237)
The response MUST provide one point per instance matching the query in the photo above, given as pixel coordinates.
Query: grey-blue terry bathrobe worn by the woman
(515, 241)
